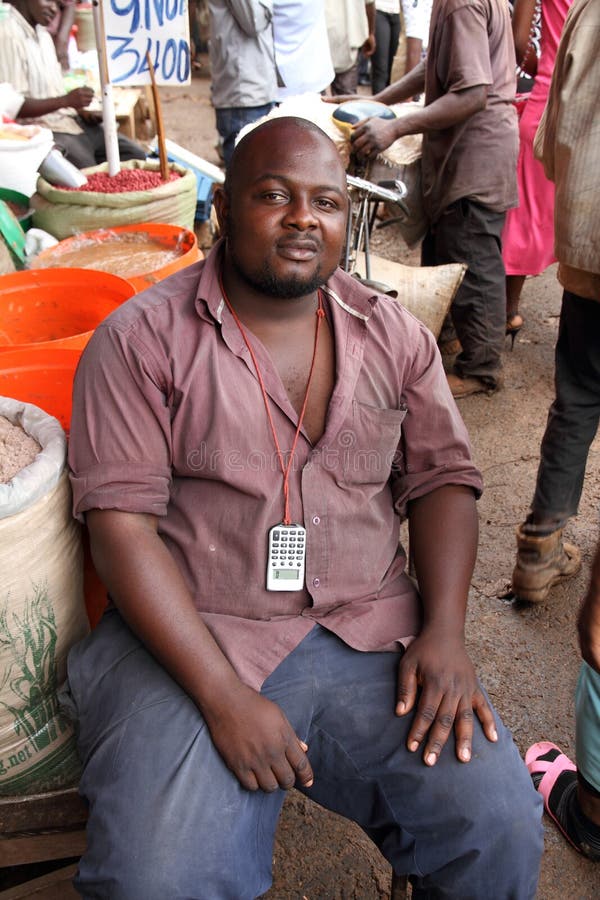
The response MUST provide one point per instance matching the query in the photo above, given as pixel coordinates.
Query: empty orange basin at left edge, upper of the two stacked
(56, 308)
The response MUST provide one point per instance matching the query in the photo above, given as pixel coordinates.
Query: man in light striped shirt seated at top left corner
(28, 62)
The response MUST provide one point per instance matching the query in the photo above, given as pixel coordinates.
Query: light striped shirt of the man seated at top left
(29, 63)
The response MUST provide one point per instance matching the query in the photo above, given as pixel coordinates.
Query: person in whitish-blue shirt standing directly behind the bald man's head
(302, 52)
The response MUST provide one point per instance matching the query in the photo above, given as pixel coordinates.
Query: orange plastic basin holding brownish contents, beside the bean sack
(179, 244)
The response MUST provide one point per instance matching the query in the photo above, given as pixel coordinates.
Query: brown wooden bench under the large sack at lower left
(39, 828)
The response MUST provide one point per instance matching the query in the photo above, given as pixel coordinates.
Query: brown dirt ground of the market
(526, 656)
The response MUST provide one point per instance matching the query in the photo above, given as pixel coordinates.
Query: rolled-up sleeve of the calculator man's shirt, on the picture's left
(119, 445)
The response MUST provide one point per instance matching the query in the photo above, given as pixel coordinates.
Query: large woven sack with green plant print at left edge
(42, 611)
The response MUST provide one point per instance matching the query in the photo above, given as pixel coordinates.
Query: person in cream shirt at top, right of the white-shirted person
(350, 29)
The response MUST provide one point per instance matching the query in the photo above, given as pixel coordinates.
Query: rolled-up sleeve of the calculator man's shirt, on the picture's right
(435, 449)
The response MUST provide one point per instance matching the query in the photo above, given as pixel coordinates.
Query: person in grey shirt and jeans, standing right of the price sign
(242, 65)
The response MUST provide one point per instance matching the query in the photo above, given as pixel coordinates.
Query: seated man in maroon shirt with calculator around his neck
(256, 389)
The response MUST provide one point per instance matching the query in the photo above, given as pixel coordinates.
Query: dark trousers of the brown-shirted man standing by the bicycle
(470, 233)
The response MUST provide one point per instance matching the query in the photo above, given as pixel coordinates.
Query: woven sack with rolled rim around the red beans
(64, 213)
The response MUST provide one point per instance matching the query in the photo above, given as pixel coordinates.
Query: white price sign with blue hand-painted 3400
(134, 28)
